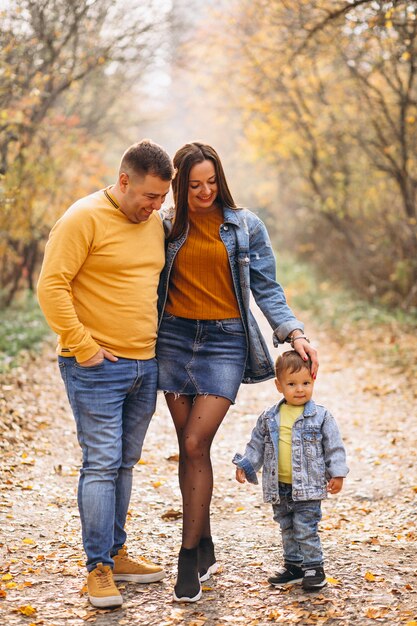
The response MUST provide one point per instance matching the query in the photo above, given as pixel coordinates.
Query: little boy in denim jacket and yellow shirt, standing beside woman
(300, 448)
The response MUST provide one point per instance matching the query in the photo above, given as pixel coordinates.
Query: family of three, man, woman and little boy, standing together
(145, 299)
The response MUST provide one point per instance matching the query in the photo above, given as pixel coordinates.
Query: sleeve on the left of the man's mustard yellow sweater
(68, 246)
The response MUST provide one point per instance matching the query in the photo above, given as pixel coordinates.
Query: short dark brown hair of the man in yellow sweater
(147, 157)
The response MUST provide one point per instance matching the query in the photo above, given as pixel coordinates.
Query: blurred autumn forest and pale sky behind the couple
(312, 105)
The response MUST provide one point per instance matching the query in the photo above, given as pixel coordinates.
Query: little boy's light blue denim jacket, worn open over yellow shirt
(318, 453)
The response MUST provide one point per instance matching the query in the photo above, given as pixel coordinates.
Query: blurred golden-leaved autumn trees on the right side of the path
(328, 95)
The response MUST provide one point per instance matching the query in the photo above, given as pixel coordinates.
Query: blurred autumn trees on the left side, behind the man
(68, 70)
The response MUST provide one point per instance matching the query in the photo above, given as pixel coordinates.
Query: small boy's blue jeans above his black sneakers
(299, 529)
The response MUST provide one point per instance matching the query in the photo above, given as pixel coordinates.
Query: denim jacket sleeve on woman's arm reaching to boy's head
(268, 293)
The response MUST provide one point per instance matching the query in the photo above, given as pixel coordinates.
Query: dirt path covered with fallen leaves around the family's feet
(368, 531)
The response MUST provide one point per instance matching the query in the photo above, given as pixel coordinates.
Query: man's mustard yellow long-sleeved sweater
(99, 279)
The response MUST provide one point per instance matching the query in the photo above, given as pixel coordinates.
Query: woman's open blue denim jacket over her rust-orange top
(253, 268)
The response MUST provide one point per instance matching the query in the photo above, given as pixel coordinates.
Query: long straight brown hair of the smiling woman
(184, 159)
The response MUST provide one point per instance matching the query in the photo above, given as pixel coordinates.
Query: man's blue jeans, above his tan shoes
(113, 404)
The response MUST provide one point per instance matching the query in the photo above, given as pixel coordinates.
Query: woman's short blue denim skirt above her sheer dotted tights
(201, 357)
